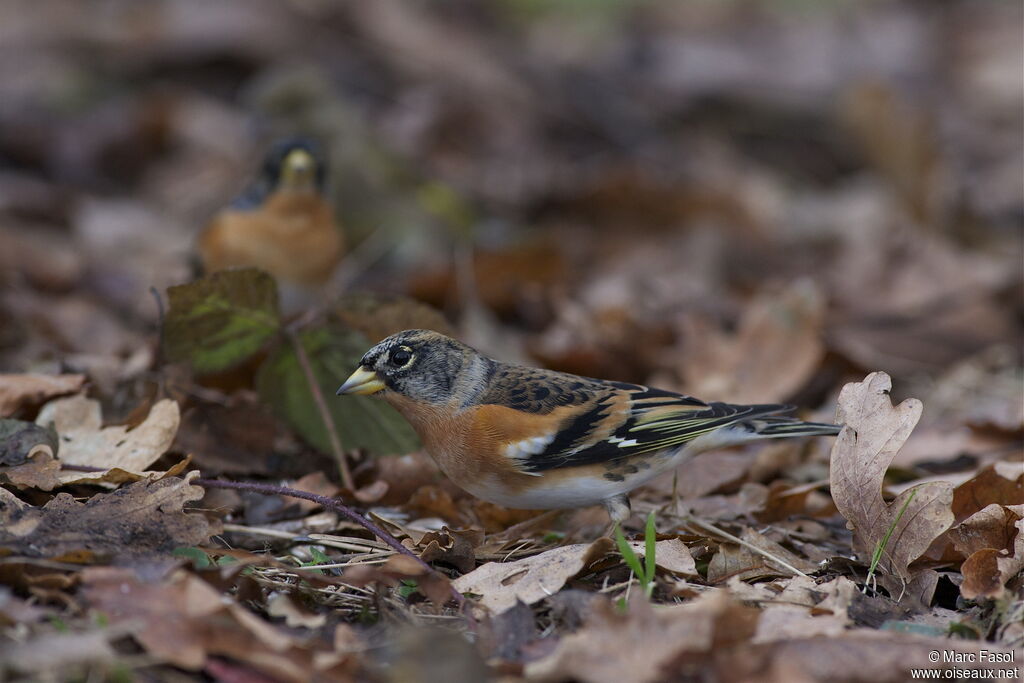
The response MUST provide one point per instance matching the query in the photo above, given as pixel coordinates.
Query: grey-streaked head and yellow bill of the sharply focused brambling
(419, 365)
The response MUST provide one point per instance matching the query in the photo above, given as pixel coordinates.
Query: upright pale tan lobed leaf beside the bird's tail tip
(873, 433)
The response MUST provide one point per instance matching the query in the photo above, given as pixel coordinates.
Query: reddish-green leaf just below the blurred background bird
(223, 320)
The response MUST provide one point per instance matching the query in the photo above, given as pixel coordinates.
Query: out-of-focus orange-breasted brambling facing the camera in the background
(282, 224)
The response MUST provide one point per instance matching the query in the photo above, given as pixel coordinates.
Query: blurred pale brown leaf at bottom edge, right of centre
(646, 645)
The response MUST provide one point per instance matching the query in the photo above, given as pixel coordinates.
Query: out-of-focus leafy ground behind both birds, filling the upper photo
(745, 200)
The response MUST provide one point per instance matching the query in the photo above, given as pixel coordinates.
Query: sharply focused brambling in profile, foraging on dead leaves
(533, 439)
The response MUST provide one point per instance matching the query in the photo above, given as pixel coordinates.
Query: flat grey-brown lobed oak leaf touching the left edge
(144, 519)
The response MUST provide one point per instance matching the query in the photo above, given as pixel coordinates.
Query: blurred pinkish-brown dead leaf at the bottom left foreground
(184, 621)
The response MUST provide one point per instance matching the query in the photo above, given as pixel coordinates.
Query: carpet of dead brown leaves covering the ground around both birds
(816, 231)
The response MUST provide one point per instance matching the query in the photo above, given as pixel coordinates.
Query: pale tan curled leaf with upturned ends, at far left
(86, 443)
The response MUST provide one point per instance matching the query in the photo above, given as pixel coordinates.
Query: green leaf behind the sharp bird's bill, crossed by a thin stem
(363, 422)
